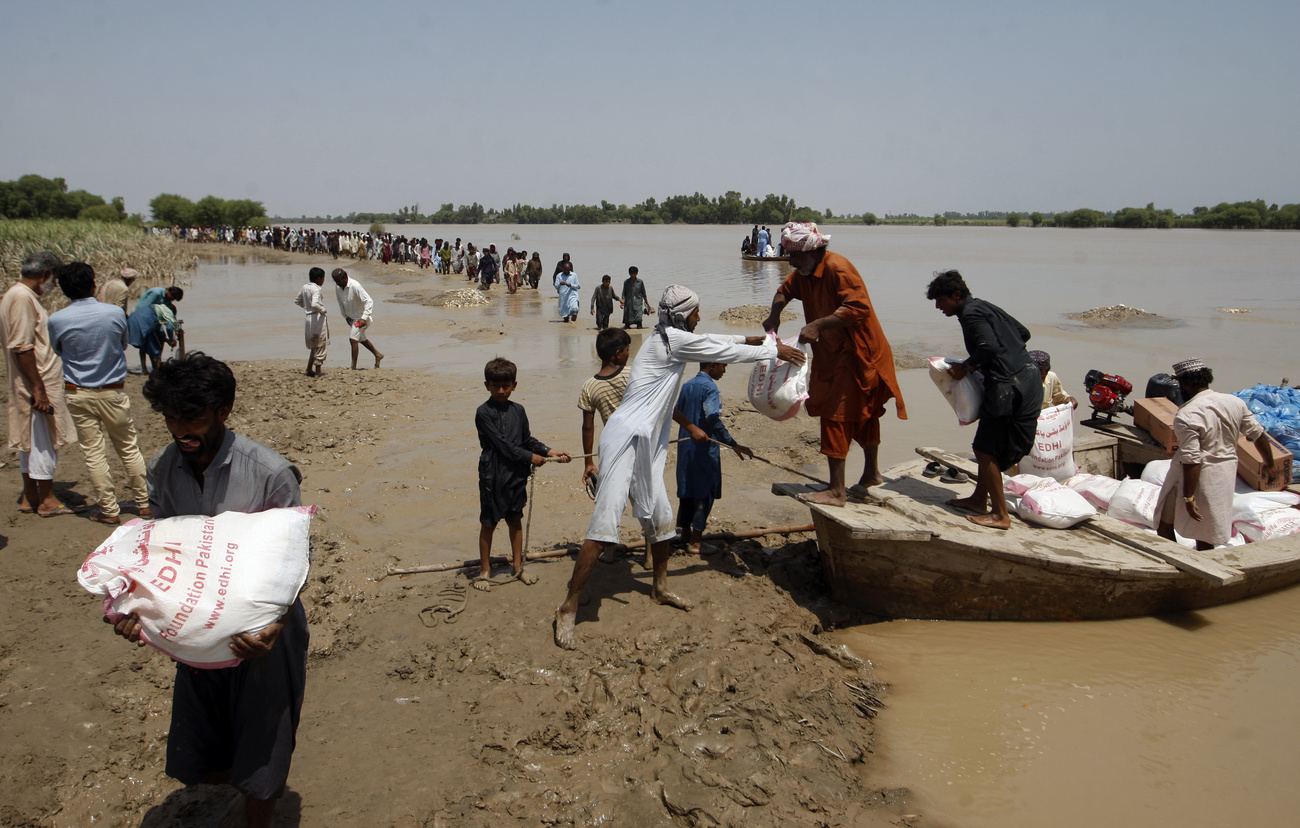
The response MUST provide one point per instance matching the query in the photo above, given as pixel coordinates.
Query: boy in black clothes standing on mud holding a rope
(509, 452)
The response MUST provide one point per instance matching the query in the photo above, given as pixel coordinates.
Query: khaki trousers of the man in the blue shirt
(105, 417)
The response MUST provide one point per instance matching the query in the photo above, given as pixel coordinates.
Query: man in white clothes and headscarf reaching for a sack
(635, 443)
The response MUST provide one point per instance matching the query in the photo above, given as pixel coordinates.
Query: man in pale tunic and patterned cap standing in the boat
(1197, 500)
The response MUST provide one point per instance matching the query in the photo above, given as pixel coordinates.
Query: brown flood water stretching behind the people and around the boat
(1141, 722)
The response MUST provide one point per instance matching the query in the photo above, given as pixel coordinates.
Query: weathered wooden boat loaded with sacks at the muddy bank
(905, 554)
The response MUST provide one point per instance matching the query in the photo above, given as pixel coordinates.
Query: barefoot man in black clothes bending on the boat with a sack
(1013, 393)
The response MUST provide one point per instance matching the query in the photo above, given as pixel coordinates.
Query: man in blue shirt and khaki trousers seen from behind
(92, 340)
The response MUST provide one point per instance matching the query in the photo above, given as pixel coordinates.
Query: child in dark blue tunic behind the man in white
(700, 470)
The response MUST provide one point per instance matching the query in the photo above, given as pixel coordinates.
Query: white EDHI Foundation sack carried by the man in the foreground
(194, 582)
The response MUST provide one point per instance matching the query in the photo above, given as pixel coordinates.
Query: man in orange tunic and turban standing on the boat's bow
(853, 374)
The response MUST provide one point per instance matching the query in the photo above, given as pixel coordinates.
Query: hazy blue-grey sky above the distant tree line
(327, 109)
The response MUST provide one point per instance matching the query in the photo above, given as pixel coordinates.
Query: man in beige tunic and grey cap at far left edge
(40, 423)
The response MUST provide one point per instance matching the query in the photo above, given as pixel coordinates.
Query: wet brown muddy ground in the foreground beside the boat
(434, 705)
